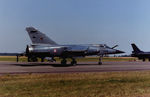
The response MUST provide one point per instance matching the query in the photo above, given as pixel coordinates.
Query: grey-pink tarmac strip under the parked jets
(24, 67)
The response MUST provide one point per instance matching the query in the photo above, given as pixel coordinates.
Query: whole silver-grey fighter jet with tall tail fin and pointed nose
(43, 47)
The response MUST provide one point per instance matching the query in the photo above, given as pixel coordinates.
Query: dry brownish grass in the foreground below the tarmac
(110, 84)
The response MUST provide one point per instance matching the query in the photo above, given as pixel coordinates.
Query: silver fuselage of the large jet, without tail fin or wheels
(69, 50)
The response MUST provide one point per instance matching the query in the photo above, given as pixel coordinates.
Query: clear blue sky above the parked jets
(111, 22)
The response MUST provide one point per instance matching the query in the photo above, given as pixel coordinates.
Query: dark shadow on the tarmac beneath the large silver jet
(47, 64)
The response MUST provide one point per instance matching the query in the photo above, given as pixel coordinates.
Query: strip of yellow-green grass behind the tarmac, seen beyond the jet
(24, 59)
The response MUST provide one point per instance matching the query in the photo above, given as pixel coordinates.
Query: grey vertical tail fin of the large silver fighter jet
(38, 37)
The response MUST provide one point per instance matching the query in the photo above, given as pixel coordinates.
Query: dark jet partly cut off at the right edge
(140, 54)
